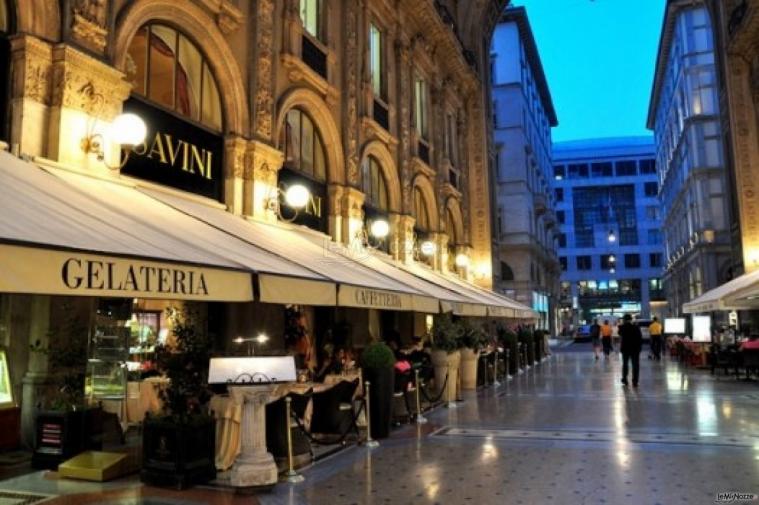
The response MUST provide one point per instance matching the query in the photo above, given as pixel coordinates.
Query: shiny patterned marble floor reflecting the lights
(563, 432)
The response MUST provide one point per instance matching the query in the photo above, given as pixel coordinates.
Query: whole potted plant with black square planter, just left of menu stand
(178, 444)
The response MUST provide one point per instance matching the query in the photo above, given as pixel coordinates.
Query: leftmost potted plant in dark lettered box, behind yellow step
(65, 425)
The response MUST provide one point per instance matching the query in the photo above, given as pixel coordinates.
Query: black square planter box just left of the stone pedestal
(178, 454)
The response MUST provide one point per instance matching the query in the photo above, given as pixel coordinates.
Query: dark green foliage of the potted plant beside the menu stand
(185, 364)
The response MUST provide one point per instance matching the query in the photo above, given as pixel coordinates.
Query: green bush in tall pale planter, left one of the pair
(445, 355)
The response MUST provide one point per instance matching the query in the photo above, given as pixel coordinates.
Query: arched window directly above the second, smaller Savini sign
(304, 150)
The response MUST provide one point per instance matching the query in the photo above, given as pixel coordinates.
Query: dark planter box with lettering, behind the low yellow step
(62, 435)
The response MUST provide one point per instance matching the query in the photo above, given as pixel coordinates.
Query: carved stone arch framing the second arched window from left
(320, 113)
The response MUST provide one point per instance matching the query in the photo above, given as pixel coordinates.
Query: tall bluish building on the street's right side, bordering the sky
(684, 114)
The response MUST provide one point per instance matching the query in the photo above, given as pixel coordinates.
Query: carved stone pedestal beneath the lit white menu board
(255, 465)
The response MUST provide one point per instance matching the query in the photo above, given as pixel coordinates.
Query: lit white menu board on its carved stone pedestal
(252, 383)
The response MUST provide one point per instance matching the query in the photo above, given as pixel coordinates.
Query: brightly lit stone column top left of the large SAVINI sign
(86, 95)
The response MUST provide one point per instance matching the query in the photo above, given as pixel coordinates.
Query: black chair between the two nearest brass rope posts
(333, 410)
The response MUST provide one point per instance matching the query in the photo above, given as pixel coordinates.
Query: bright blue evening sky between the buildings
(598, 56)
